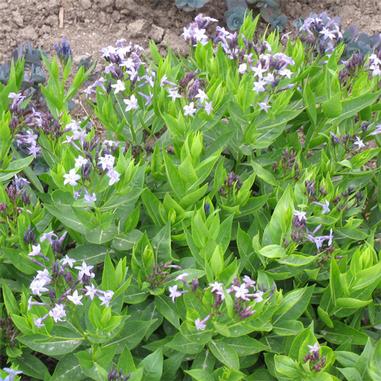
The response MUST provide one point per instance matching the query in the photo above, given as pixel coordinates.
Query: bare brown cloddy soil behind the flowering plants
(90, 25)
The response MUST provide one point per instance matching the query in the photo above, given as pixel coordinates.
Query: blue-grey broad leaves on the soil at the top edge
(270, 10)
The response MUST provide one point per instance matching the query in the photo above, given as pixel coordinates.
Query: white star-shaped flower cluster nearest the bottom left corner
(76, 281)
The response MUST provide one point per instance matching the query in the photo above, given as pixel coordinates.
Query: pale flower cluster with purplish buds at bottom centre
(245, 294)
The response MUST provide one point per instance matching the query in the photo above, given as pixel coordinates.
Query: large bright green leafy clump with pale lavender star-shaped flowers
(215, 217)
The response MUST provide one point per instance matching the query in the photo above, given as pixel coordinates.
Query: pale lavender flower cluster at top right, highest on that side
(321, 31)
